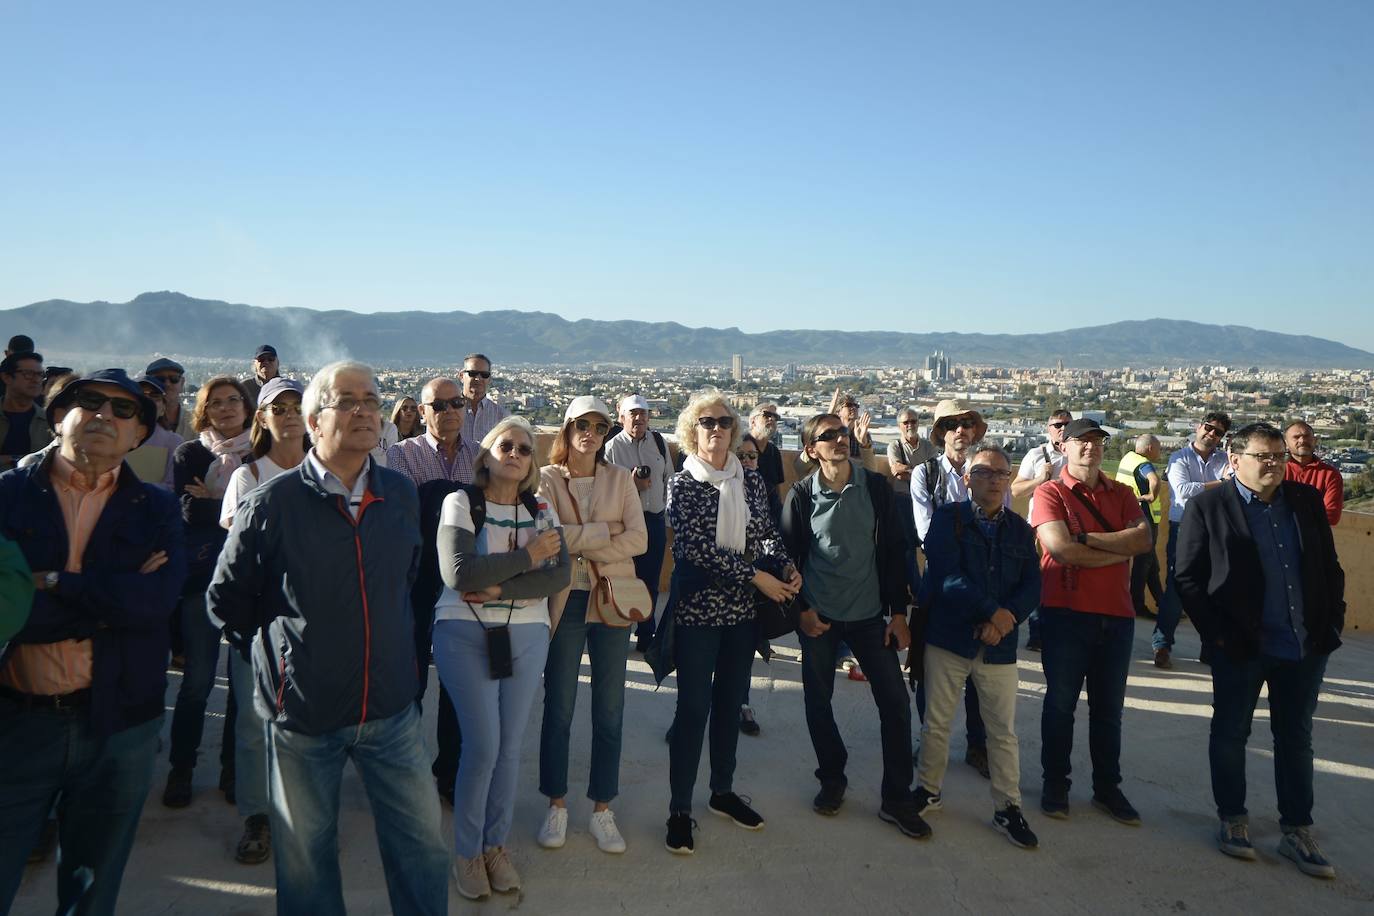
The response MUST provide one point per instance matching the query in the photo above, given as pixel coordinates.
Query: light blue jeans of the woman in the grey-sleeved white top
(493, 715)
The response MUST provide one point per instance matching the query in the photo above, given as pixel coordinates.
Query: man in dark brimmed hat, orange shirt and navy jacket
(82, 686)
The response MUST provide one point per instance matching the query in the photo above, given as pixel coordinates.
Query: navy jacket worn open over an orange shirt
(124, 613)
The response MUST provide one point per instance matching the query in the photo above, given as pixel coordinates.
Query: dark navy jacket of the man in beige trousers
(969, 577)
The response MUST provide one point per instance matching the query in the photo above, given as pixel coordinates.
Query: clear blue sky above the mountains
(1005, 167)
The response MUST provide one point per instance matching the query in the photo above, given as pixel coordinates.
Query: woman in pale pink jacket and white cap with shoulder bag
(604, 525)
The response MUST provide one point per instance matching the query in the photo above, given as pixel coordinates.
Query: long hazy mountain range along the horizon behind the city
(177, 325)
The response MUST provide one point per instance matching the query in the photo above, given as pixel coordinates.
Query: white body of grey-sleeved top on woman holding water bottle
(504, 525)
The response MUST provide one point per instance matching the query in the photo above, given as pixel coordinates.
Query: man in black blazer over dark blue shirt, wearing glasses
(1259, 577)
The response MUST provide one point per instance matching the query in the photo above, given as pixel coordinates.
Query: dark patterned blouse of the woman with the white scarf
(729, 595)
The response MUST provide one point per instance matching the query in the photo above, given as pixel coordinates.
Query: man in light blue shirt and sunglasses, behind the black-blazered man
(1197, 468)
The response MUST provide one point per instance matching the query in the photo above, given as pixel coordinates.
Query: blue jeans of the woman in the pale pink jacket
(609, 648)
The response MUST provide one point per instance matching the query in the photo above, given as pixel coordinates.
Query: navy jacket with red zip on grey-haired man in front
(325, 601)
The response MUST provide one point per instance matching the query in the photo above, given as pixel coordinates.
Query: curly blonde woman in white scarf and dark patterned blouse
(722, 529)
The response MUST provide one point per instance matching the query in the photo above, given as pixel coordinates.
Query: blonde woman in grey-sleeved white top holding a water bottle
(502, 557)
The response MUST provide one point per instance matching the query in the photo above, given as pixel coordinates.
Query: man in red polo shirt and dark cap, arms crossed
(1090, 528)
